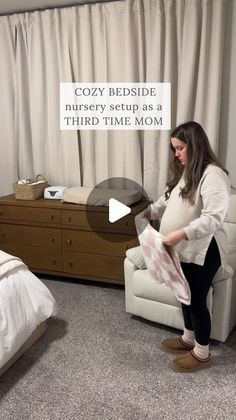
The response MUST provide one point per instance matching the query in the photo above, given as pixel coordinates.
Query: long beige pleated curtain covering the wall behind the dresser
(128, 41)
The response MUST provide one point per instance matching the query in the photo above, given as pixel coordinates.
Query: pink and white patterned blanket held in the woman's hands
(162, 262)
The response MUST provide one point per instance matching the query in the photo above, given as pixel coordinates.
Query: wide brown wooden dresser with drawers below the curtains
(55, 238)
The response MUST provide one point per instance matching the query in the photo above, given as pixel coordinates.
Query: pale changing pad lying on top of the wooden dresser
(100, 196)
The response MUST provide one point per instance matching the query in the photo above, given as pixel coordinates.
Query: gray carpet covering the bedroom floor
(97, 362)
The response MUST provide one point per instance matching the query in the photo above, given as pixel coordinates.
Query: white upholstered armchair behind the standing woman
(155, 301)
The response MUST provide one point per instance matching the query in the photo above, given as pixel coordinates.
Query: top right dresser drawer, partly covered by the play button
(99, 220)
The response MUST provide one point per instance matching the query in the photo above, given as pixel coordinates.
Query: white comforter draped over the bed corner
(25, 302)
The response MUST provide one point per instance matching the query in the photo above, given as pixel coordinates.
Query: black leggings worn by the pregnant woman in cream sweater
(196, 316)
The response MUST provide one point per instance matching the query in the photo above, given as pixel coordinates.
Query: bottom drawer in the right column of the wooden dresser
(94, 266)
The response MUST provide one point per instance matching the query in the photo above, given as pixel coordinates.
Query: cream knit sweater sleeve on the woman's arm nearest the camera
(214, 192)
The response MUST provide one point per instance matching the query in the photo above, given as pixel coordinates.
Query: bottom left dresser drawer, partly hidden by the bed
(36, 258)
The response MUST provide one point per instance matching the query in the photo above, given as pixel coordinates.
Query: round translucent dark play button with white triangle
(111, 208)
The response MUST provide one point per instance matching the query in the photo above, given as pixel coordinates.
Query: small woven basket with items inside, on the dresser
(30, 191)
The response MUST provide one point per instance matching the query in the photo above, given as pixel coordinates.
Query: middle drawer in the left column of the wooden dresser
(30, 236)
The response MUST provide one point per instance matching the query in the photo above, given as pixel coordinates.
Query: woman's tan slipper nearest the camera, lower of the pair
(190, 363)
